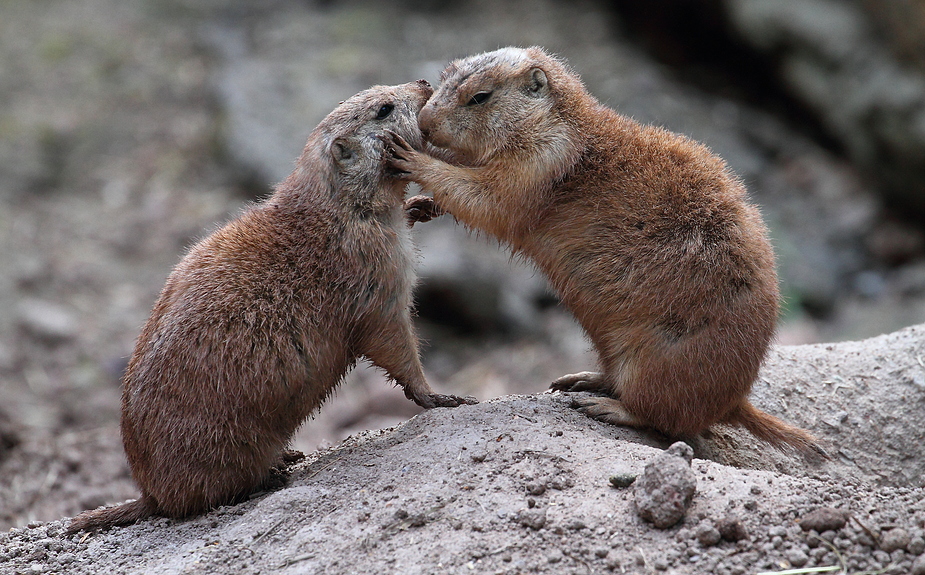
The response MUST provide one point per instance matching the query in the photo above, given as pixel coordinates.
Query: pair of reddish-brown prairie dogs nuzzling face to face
(646, 236)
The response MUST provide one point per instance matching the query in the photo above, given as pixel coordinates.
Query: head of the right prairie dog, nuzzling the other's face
(506, 99)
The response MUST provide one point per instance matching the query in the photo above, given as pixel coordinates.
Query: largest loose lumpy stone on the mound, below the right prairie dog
(666, 487)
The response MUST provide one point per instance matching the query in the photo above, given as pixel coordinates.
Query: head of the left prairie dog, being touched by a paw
(348, 146)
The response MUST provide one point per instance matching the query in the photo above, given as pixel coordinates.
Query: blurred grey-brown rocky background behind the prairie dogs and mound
(131, 128)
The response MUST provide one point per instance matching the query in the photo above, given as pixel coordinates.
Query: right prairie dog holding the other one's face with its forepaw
(645, 234)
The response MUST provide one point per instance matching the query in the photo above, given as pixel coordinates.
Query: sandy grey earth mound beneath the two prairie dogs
(521, 484)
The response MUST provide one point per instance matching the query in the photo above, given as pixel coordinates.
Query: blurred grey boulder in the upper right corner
(831, 57)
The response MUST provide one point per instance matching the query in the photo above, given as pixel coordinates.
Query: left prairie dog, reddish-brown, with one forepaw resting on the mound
(262, 319)
